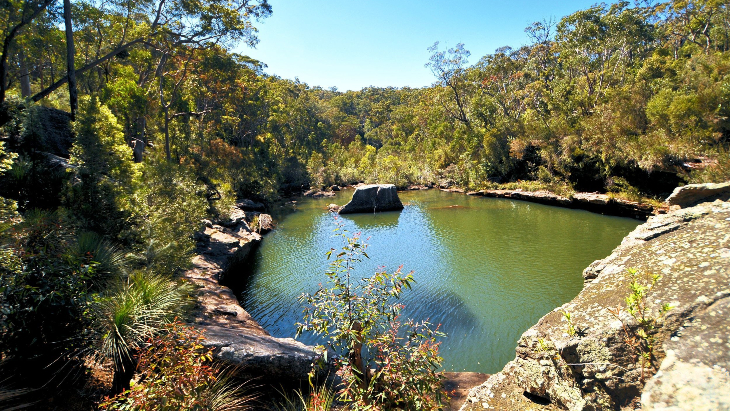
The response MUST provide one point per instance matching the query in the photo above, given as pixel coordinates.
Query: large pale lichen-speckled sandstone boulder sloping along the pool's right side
(595, 368)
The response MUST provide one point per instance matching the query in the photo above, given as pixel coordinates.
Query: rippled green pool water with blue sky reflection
(486, 269)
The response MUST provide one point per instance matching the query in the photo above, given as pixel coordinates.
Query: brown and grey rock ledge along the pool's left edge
(237, 338)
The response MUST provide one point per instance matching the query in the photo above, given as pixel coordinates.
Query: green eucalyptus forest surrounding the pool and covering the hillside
(125, 123)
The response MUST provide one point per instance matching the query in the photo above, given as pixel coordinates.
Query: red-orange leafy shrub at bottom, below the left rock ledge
(178, 375)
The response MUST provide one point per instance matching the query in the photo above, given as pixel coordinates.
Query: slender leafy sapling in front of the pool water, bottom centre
(383, 363)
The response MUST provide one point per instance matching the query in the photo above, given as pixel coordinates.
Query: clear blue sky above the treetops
(354, 44)
